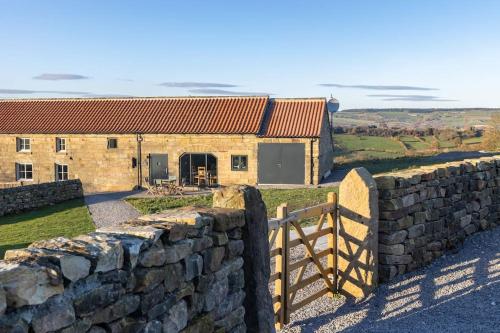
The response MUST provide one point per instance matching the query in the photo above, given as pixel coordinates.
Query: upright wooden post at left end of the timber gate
(282, 284)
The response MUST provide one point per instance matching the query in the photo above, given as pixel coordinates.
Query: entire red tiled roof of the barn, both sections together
(165, 115)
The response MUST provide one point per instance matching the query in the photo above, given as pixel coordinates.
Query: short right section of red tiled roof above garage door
(295, 117)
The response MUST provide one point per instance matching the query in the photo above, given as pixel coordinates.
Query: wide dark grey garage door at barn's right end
(281, 163)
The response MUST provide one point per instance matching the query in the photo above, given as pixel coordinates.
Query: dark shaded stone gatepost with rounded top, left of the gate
(259, 314)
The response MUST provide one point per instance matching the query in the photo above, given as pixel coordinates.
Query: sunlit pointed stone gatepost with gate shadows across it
(358, 234)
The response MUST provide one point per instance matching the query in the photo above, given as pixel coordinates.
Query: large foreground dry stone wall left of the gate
(176, 271)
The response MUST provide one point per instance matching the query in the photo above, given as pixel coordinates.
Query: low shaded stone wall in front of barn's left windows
(23, 198)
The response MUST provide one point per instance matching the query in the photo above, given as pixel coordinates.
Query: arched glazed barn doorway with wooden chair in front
(198, 169)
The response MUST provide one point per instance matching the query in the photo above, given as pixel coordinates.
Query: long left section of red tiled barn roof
(210, 115)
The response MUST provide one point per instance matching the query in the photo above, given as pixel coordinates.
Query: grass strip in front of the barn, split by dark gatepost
(296, 199)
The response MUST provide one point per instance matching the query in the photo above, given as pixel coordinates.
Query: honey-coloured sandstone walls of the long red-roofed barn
(101, 169)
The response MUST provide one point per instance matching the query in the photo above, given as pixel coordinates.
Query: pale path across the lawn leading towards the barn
(108, 209)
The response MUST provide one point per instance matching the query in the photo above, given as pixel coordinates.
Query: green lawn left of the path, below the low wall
(69, 219)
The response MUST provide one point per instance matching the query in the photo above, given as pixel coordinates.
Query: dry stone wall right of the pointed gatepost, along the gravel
(425, 211)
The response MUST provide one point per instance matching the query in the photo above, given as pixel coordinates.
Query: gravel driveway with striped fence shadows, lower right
(456, 293)
